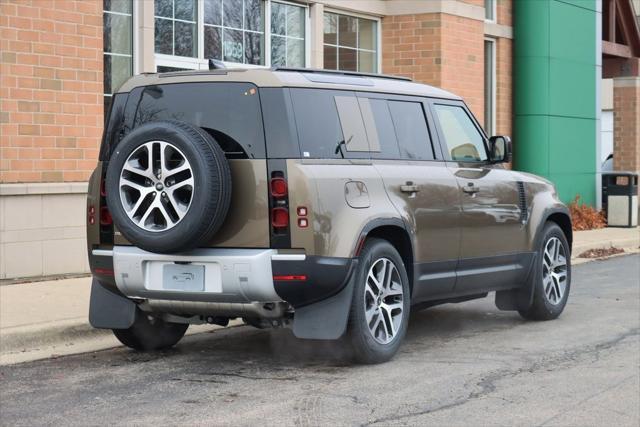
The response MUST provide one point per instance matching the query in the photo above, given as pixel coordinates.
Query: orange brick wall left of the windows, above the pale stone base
(51, 109)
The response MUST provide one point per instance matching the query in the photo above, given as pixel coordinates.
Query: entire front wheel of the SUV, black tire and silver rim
(551, 279)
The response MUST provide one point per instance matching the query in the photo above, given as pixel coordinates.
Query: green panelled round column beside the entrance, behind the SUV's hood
(555, 98)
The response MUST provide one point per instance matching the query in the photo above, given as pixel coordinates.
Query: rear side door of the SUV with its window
(419, 184)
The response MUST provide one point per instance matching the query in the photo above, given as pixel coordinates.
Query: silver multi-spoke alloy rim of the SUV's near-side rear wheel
(383, 300)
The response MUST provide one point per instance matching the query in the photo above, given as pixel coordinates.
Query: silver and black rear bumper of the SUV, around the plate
(236, 276)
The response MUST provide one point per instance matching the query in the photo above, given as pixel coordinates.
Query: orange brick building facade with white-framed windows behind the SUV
(61, 60)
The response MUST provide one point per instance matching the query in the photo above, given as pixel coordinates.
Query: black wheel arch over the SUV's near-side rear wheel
(395, 232)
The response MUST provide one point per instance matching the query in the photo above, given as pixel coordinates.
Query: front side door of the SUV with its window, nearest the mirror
(492, 229)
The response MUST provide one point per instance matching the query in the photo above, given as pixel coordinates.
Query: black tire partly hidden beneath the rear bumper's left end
(150, 333)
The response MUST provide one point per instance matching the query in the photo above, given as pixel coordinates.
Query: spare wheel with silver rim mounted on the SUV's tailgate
(168, 187)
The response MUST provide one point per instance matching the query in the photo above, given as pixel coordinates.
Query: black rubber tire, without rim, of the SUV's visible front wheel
(541, 307)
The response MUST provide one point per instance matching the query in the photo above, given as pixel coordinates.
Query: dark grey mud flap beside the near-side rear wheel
(327, 319)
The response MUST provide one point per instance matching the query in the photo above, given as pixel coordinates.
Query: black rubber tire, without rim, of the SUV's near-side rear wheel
(364, 347)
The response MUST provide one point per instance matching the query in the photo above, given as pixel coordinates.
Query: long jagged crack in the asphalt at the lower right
(487, 384)
